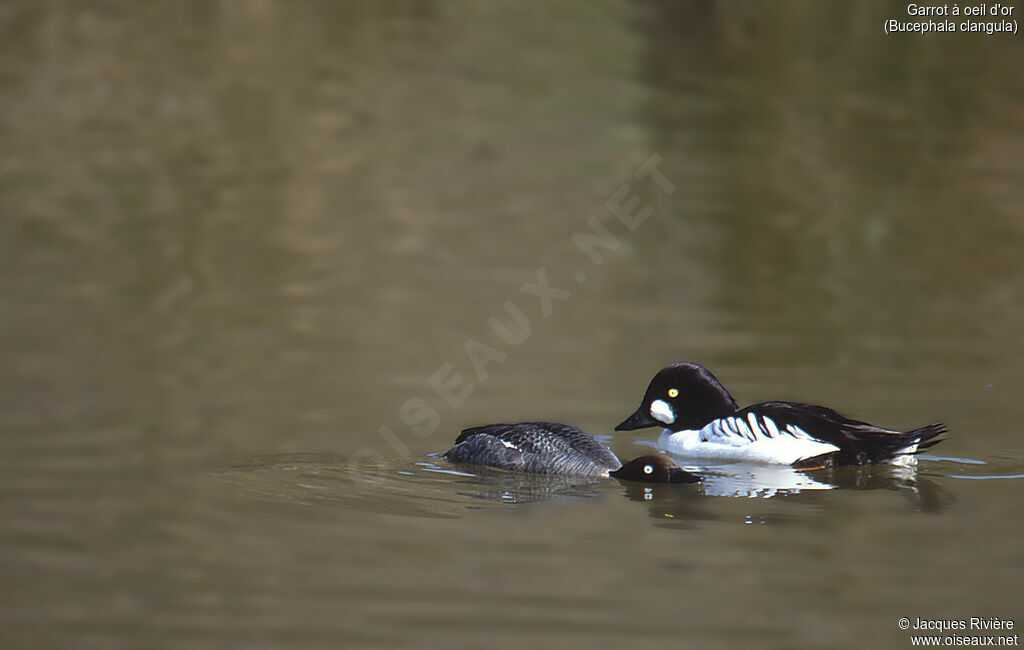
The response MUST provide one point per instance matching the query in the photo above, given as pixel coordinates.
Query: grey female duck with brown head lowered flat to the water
(548, 448)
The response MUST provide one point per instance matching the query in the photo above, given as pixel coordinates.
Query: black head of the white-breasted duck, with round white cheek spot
(680, 398)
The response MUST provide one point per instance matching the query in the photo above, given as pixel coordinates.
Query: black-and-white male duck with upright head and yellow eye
(702, 420)
